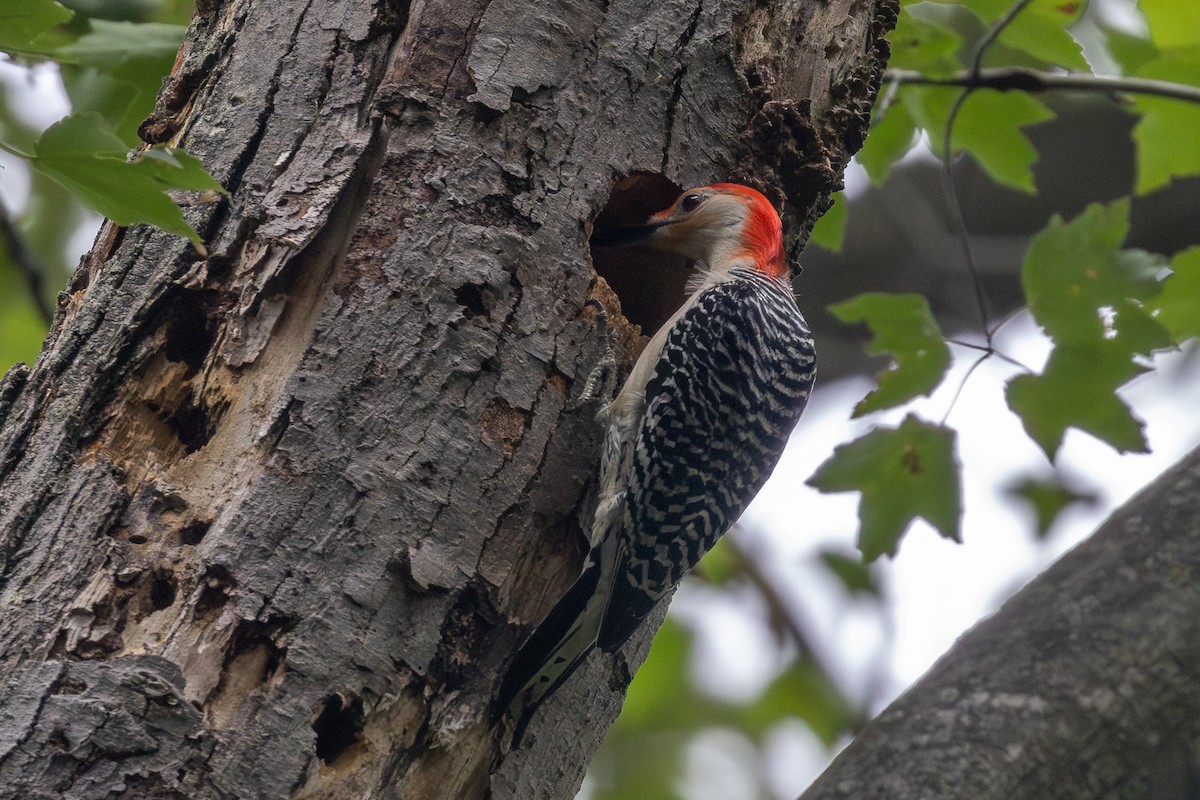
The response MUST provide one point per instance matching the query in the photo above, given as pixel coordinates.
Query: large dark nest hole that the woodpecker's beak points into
(650, 285)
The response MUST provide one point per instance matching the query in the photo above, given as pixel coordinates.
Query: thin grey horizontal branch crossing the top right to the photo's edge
(1025, 80)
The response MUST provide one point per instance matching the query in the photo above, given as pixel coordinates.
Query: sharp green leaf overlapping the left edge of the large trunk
(82, 153)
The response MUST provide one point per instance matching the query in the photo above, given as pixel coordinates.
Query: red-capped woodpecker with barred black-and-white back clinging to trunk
(693, 435)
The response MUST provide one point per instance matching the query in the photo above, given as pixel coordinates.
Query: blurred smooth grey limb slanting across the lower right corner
(1084, 685)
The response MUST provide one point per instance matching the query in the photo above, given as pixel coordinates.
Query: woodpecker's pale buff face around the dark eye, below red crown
(705, 225)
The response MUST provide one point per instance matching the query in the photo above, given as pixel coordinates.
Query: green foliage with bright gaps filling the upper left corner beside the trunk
(111, 57)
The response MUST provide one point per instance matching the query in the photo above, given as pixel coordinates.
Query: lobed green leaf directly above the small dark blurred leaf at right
(1078, 390)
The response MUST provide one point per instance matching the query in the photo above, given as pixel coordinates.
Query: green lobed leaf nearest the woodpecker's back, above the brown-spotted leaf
(904, 327)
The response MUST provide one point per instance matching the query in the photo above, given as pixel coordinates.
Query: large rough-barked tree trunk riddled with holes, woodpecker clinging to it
(275, 520)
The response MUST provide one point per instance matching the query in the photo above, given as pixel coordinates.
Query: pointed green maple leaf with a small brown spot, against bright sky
(903, 474)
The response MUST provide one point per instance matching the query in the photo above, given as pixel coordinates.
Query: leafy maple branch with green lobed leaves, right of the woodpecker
(1106, 309)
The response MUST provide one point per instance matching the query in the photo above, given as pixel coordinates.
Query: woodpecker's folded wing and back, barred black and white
(730, 386)
